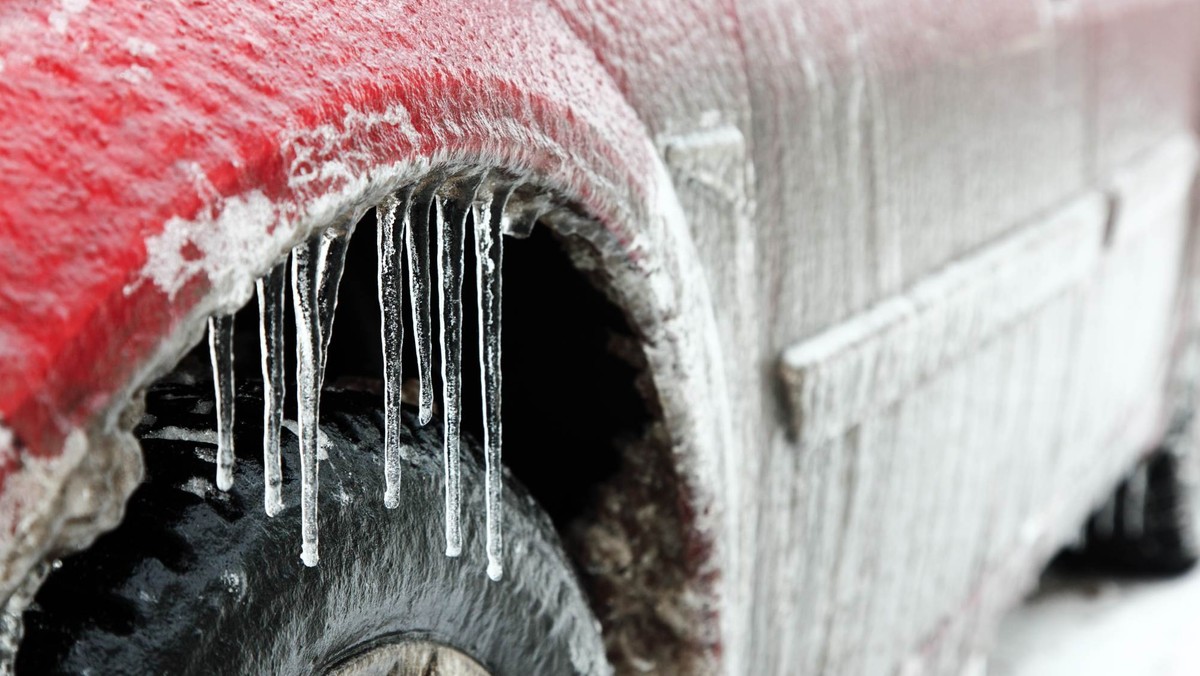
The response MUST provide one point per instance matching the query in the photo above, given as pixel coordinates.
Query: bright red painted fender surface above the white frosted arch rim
(103, 139)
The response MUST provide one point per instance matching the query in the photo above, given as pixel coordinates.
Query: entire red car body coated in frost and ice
(911, 277)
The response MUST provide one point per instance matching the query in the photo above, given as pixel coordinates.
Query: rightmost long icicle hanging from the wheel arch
(489, 261)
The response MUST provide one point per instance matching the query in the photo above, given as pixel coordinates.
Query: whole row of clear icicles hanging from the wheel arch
(316, 268)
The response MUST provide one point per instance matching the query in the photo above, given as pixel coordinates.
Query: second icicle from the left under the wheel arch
(271, 334)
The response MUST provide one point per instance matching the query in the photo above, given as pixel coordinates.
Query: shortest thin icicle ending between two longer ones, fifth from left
(419, 292)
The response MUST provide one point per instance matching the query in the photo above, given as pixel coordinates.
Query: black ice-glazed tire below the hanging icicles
(199, 582)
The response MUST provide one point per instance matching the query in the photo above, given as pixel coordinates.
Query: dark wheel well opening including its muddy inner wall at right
(584, 430)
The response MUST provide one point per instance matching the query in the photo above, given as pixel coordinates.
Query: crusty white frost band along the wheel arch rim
(645, 244)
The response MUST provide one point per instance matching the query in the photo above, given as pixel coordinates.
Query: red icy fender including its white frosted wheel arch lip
(157, 159)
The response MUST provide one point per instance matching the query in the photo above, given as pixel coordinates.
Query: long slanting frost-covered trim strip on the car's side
(837, 378)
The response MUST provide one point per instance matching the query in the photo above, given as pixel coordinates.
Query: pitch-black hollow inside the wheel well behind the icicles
(571, 399)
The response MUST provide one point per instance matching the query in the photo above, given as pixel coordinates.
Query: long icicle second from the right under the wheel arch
(451, 242)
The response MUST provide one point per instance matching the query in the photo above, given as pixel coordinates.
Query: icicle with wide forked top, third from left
(317, 268)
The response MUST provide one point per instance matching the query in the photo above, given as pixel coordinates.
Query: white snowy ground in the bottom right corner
(1105, 627)
